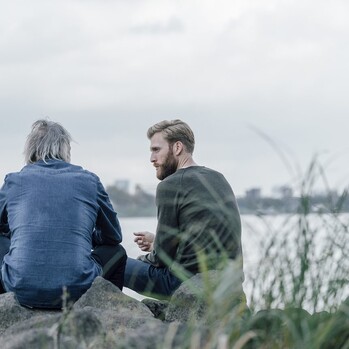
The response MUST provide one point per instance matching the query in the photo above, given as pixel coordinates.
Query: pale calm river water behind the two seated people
(259, 231)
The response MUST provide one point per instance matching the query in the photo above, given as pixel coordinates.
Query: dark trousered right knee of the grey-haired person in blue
(113, 261)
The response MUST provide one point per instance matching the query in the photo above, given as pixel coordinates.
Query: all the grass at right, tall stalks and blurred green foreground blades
(299, 289)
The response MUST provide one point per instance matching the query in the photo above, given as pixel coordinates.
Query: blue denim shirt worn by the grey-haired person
(55, 212)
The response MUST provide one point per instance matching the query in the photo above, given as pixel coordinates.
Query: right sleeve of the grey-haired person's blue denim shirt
(107, 229)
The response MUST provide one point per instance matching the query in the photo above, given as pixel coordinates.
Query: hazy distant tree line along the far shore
(142, 204)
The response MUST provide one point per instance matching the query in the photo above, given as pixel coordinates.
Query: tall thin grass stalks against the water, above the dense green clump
(305, 261)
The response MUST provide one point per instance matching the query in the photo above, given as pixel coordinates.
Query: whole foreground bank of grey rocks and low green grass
(204, 312)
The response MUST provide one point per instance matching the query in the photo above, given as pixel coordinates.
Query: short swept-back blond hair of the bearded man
(173, 131)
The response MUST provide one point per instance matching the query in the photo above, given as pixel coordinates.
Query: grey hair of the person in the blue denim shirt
(47, 140)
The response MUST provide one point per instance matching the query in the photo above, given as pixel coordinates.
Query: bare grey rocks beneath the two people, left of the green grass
(104, 317)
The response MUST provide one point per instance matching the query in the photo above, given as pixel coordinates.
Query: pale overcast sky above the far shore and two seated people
(258, 81)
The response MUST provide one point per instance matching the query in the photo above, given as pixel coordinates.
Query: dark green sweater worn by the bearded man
(197, 216)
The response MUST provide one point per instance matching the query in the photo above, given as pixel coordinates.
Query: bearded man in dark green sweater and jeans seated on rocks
(199, 223)
